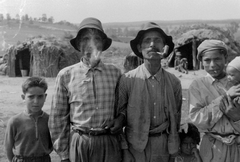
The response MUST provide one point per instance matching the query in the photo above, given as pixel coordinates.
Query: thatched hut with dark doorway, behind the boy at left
(41, 57)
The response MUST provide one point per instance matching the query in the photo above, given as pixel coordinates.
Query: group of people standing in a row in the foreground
(99, 114)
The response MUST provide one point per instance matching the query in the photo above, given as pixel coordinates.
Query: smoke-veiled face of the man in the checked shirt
(91, 45)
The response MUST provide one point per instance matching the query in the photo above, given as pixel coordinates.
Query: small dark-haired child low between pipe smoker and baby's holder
(188, 147)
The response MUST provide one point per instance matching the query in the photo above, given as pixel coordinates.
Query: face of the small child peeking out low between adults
(187, 145)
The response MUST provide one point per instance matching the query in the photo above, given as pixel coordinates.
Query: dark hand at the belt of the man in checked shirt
(115, 125)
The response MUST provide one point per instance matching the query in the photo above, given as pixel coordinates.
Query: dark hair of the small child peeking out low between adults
(192, 133)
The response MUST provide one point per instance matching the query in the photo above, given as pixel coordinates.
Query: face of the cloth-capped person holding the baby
(214, 63)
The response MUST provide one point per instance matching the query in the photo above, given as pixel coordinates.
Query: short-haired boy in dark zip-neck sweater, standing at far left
(27, 136)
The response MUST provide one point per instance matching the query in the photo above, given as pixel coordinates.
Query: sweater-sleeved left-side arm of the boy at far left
(9, 141)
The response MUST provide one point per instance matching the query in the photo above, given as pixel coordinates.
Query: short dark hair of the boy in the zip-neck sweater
(34, 82)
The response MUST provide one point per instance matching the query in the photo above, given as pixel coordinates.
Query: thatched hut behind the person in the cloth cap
(188, 42)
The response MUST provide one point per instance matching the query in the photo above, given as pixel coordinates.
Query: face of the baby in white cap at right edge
(233, 75)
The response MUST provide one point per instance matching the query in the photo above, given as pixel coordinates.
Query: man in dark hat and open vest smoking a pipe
(151, 99)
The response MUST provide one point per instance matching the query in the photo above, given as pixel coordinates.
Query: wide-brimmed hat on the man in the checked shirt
(92, 23)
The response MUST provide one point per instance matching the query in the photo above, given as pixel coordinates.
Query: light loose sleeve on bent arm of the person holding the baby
(201, 113)
